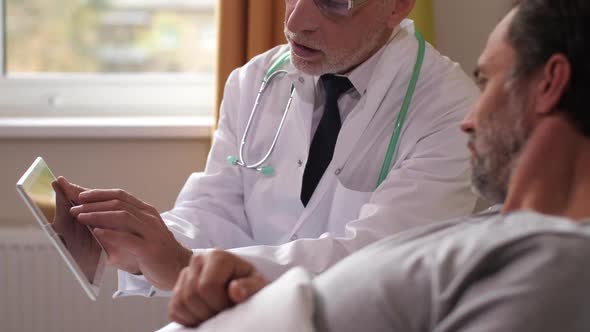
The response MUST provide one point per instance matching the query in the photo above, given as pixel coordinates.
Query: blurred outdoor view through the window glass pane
(110, 36)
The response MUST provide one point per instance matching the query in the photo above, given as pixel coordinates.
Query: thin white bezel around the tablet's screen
(30, 176)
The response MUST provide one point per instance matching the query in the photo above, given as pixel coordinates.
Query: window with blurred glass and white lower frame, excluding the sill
(95, 58)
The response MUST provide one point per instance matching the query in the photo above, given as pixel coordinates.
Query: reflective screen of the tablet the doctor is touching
(79, 241)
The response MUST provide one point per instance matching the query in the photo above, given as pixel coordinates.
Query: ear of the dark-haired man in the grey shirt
(552, 83)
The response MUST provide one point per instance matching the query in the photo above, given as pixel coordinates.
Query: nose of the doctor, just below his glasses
(301, 16)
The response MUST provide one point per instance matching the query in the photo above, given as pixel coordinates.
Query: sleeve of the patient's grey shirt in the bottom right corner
(537, 284)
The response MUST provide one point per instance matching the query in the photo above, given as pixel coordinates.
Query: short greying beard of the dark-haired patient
(493, 168)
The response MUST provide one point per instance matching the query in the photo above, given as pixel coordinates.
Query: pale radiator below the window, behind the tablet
(39, 293)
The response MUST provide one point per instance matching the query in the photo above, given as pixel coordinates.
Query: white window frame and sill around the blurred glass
(47, 105)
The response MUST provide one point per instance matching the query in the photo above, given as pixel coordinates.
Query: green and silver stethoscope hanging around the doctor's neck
(275, 70)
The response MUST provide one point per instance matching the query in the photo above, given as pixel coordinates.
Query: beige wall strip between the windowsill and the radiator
(154, 170)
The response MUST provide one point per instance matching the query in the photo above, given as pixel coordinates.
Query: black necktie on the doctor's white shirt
(324, 139)
